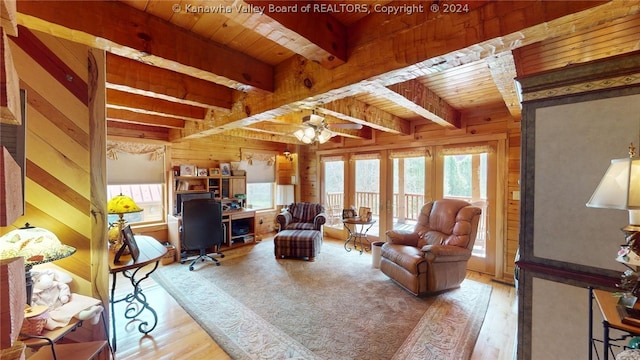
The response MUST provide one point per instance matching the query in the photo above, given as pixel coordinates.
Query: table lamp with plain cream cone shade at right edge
(620, 189)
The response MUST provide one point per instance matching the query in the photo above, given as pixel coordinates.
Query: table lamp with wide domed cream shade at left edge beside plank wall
(37, 246)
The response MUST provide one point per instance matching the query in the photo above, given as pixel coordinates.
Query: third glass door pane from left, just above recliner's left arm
(408, 191)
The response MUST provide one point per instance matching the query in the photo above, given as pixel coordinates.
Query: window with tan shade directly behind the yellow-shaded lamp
(137, 170)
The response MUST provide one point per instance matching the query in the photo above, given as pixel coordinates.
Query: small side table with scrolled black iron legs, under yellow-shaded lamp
(151, 251)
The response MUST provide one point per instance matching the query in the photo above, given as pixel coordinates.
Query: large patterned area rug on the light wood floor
(337, 307)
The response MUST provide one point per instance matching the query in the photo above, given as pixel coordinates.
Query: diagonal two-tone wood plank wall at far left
(58, 182)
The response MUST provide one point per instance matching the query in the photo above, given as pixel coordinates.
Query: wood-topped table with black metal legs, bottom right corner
(611, 319)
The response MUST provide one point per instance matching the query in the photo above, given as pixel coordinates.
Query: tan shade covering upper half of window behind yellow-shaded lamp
(135, 163)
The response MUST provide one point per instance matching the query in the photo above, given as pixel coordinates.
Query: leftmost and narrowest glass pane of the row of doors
(334, 192)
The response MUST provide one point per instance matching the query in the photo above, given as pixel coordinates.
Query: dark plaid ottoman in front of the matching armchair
(298, 243)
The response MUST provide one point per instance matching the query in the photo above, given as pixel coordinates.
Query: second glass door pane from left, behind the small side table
(367, 181)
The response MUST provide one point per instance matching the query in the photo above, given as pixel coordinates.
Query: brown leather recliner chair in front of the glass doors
(434, 256)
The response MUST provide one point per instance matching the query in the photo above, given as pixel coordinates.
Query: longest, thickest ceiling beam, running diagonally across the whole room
(394, 57)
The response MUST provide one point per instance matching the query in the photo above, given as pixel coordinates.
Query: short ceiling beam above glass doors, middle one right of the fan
(414, 96)
